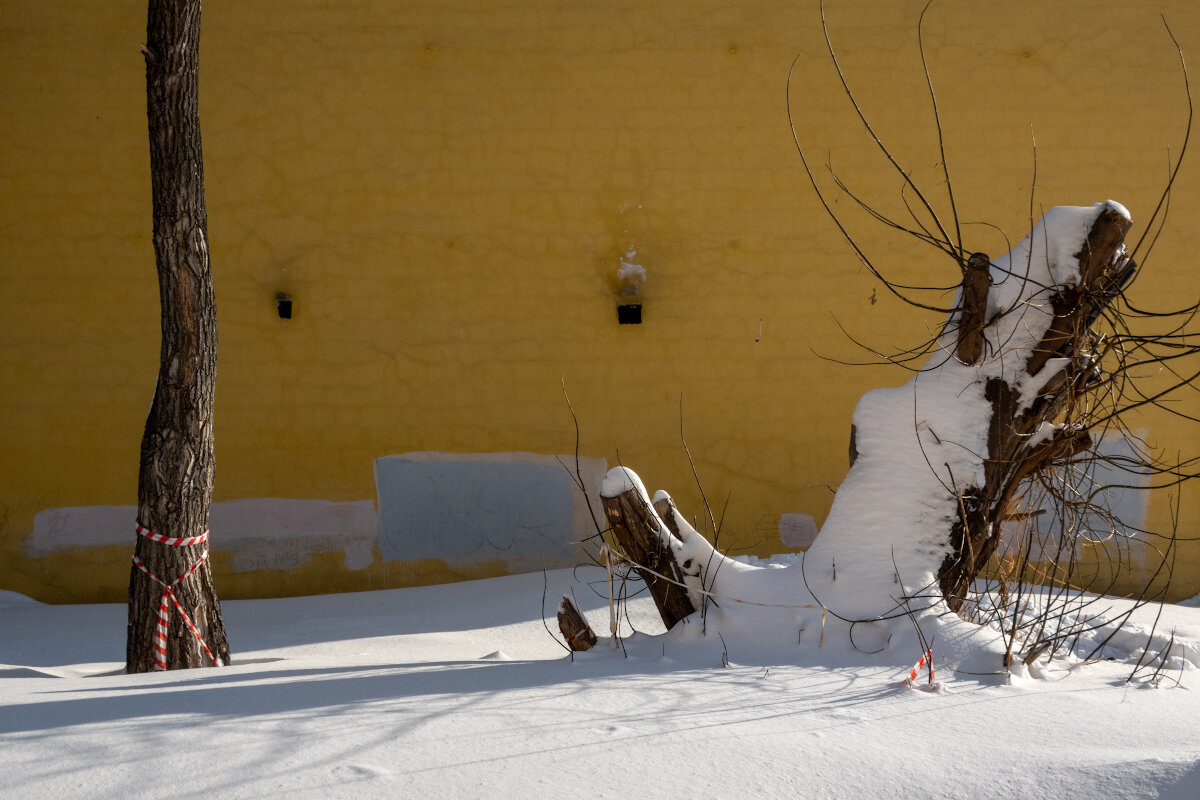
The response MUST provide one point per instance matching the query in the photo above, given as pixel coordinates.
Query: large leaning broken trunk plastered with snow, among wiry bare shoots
(938, 462)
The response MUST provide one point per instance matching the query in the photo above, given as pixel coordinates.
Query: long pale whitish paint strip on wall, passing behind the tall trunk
(262, 533)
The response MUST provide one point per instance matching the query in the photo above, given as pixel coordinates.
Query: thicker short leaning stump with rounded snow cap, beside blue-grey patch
(647, 543)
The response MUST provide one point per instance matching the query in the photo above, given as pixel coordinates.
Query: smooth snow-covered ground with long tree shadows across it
(459, 691)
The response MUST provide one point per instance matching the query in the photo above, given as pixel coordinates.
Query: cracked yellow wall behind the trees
(446, 188)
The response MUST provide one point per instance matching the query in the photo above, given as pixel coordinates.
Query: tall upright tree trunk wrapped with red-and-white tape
(177, 465)
